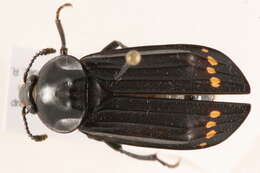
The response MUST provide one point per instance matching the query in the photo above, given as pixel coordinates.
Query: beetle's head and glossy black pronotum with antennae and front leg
(52, 94)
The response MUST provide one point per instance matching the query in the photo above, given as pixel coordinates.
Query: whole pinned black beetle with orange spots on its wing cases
(158, 96)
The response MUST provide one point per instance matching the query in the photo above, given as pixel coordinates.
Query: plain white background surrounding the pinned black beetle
(232, 27)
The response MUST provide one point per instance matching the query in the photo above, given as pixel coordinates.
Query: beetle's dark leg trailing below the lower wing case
(150, 157)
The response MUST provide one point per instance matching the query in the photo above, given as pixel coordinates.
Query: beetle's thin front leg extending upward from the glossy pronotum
(63, 49)
